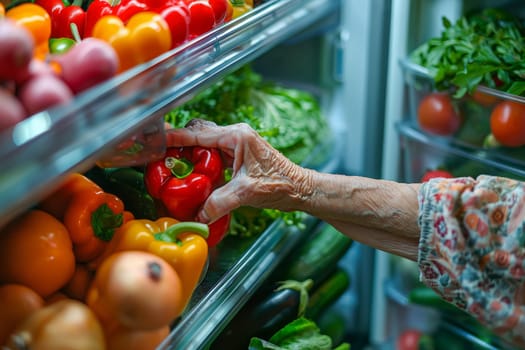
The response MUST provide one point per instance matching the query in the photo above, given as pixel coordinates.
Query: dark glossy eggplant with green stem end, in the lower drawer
(262, 317)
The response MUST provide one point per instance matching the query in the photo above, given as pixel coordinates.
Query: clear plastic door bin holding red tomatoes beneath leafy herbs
(465, 121)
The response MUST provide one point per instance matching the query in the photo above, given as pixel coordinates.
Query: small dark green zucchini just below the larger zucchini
(327, 293)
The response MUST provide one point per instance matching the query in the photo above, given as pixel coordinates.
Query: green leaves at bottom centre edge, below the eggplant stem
(300, 334)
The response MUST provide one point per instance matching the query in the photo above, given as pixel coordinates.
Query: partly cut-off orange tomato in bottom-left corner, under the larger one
(17, 302)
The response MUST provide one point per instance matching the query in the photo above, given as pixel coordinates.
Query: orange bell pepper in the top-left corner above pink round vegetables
(36, 19)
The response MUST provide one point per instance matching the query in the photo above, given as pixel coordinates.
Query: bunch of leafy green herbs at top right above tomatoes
(482, 48)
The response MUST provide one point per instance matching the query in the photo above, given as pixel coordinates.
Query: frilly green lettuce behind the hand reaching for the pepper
(289, 119)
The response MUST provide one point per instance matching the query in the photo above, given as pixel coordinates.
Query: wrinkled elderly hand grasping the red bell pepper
(262, 176)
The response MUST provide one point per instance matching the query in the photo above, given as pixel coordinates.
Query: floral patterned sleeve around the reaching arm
(472, 248)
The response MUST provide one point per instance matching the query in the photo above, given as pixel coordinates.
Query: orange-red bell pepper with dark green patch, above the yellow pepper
(90, 214)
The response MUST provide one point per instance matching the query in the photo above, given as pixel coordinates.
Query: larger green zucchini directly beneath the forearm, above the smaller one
(317, 257)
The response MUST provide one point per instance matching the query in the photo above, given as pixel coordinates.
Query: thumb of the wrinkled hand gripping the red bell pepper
(220, 202)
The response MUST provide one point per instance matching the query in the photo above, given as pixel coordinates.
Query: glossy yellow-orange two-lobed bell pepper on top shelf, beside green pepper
(145, 36)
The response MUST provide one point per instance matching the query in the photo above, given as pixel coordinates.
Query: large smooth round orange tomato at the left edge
(36, 251)
